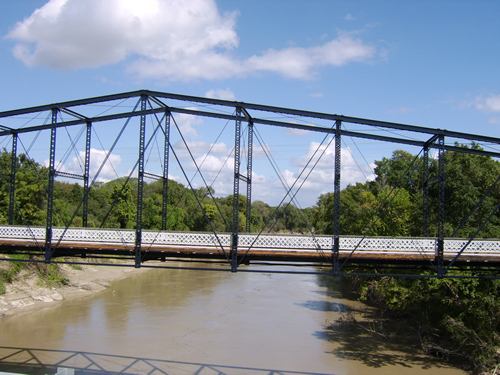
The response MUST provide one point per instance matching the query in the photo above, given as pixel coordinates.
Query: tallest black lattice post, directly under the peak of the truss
(140, 184)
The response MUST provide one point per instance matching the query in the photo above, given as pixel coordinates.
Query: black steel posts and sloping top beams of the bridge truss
(241, 114)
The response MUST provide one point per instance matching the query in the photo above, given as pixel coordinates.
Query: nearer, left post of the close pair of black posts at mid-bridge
(236, 192)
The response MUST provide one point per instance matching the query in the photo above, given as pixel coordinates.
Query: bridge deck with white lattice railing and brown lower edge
(75, 241)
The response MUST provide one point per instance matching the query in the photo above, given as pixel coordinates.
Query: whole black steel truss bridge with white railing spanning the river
(436, 251)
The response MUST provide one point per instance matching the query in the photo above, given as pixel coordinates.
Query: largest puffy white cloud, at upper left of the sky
(79, 34)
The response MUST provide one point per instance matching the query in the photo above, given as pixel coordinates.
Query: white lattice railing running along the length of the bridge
(277, 242)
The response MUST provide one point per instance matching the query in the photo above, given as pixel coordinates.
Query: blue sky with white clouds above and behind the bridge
(432, 63)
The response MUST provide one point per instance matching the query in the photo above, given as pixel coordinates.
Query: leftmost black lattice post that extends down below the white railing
(50, 188)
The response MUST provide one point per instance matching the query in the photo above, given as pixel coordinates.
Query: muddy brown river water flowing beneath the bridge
(217, 322)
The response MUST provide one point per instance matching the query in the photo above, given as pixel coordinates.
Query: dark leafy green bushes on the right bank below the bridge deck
(458, 319)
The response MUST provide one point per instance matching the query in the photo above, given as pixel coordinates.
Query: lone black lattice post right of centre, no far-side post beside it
(336, 198)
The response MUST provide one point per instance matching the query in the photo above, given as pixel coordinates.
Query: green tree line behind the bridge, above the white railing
(390, 205)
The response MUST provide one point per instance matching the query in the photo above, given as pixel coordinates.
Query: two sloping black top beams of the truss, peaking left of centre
(246, 107)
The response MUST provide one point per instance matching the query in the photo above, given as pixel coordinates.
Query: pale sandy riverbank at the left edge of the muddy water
(26, 293)
